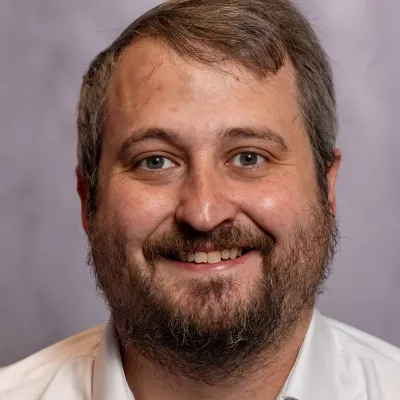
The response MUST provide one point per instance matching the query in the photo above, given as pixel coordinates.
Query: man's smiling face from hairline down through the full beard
(196, 161)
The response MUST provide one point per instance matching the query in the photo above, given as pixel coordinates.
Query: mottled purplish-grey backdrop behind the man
(46, 290)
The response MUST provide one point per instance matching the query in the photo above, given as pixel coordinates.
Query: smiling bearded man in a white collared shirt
(206, 170)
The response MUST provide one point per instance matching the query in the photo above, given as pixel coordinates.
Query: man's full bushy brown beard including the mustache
(202, 328)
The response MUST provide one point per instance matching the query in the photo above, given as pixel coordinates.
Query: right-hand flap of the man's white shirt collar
(313, 375)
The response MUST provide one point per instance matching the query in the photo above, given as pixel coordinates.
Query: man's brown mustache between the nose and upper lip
(184, 239)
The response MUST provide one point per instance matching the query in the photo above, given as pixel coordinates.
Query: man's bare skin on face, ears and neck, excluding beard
(203, 183)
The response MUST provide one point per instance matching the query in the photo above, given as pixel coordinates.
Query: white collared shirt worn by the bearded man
(336, 362)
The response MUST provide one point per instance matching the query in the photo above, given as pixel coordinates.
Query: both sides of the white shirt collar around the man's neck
(312, 377)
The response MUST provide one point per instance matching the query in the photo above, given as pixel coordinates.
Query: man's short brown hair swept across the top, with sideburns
(259, 34)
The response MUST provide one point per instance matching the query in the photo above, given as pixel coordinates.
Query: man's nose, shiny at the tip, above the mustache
(206, 201)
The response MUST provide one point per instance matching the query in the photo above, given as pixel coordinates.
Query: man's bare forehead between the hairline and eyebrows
(154, 86)
